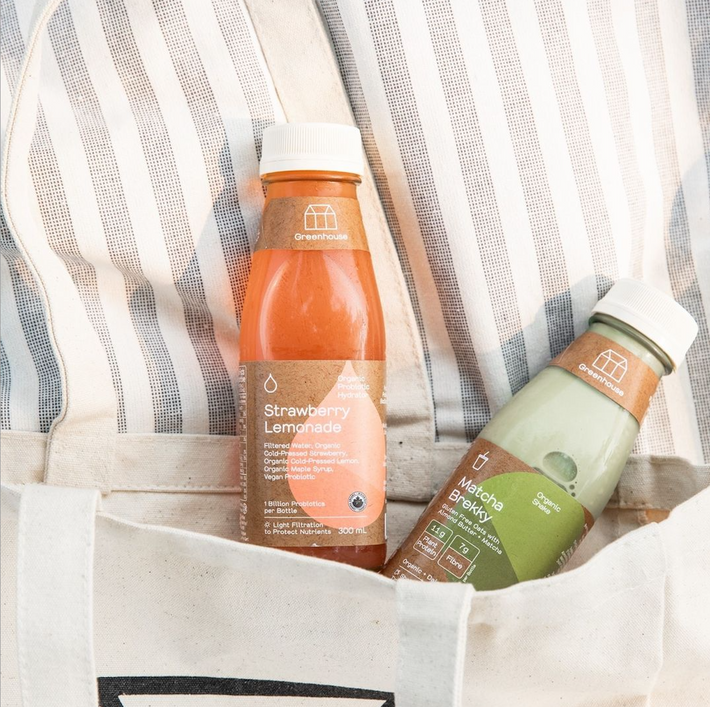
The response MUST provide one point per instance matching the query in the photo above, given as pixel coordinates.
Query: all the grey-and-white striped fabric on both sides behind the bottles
(526, 155)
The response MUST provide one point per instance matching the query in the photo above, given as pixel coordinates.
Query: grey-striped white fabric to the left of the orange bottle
(144, 163)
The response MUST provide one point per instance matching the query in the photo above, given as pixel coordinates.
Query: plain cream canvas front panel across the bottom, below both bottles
(179, 613)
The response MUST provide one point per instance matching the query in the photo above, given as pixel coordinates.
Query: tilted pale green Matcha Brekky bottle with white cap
(543, 469)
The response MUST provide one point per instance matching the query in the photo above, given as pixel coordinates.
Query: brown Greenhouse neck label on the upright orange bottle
(312, 223)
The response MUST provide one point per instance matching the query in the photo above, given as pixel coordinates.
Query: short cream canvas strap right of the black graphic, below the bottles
(433, 622)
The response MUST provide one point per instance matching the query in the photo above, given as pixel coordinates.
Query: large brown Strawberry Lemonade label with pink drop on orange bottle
(313, 456)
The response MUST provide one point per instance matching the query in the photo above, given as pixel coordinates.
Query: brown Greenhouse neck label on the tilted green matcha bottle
(612, 370)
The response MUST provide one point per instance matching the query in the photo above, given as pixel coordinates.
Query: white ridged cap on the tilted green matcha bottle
(652, 313)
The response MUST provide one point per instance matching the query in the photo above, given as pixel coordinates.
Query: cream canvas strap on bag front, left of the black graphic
(55, 627)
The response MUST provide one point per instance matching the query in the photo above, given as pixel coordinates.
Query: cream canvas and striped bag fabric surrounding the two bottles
(130, 203)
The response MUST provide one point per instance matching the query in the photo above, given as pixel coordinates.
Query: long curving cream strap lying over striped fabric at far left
(81, 443)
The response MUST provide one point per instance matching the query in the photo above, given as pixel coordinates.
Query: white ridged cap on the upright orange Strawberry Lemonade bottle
(328, 147)
